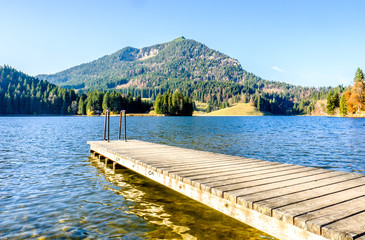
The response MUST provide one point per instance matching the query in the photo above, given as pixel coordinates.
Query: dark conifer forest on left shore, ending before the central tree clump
(22, 94)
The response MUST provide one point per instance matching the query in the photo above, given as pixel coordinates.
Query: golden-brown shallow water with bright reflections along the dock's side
(173, 215)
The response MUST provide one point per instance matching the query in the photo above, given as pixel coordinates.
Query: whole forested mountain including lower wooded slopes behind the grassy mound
(199, 72)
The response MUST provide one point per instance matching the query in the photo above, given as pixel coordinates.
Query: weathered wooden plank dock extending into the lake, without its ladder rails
(284, 200)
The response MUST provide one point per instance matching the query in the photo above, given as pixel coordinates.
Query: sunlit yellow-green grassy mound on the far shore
(239, 109)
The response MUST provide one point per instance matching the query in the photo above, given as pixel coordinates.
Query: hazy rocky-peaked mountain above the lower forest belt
(150, 67)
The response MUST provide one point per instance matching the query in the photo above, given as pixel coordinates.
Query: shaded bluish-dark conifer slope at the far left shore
(22, 94)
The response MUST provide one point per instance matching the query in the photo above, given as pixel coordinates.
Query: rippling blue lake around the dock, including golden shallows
(49, 187)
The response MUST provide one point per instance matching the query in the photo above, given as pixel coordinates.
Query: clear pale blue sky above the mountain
(308, 43)
